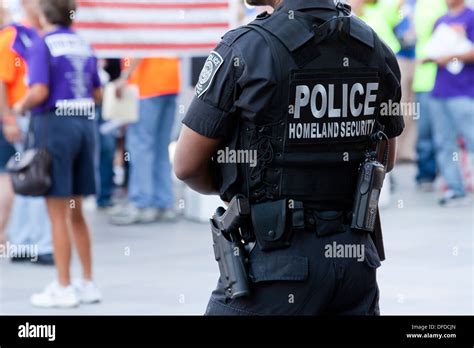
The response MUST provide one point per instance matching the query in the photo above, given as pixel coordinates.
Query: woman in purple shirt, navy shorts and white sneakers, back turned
(64, 87)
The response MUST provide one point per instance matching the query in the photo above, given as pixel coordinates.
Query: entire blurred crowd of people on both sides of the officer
(128, 169)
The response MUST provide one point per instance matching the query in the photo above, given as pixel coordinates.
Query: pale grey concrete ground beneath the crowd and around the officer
(170, 269)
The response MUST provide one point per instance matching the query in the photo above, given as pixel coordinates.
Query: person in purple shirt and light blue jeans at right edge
(453, 105)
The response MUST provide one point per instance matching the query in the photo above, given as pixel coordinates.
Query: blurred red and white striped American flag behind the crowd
(146, 28)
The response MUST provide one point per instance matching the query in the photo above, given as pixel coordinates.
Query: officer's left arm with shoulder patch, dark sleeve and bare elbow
(209, 120)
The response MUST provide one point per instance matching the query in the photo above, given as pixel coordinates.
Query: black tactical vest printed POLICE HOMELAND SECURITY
(331, 76)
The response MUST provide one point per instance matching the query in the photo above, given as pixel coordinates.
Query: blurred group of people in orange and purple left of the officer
(88, 159)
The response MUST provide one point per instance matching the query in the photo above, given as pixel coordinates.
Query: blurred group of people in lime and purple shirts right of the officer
(439, 134)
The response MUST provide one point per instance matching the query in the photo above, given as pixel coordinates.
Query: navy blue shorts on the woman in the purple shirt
(71, 142)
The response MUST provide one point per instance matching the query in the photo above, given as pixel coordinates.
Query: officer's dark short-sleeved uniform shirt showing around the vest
(238, 80)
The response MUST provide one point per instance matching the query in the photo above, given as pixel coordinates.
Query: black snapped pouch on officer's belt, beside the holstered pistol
(270, 225)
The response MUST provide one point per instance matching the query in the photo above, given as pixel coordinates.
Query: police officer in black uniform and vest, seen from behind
(301, 91)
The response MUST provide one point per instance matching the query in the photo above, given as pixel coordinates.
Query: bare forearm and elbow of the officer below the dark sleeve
(192, 161)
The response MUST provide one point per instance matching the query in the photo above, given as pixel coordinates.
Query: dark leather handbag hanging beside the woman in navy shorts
(30, 171)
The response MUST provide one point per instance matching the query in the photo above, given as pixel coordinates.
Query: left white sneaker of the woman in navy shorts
(55, 295)
